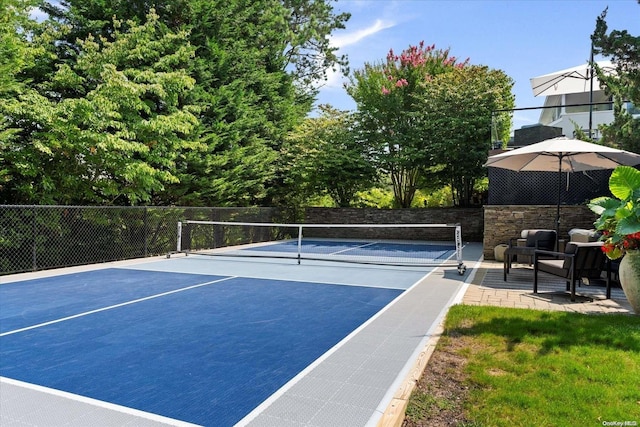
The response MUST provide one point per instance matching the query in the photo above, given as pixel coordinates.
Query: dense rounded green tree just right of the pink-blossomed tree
(456, 113)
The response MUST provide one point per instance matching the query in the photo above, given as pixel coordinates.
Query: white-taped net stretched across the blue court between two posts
(383, 244)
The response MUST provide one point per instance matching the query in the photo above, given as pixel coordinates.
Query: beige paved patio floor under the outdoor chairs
(489, 288)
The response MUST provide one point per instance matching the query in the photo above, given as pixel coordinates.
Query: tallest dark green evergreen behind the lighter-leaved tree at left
(255, 65)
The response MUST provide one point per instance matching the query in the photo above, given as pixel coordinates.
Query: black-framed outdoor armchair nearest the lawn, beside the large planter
(578, 261)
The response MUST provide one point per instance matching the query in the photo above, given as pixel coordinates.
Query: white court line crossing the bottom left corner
(95, 402)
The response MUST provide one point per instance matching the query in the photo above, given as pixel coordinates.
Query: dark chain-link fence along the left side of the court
(42, 237)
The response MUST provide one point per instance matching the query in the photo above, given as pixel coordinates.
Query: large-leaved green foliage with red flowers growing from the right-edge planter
(619, 215)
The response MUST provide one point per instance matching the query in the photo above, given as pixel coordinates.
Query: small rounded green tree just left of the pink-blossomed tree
(326, 156)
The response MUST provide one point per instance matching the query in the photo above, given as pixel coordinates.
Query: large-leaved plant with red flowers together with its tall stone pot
(619, 223)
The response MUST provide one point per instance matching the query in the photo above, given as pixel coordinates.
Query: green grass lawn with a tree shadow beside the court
(513, 367)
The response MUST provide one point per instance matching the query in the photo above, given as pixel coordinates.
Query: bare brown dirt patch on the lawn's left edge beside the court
(439, 397)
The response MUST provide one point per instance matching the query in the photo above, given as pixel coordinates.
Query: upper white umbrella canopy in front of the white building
(572, 80)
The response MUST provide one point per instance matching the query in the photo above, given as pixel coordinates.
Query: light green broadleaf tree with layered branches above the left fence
(107, 128)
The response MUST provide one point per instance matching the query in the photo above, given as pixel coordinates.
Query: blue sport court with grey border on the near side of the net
(215, 341)
